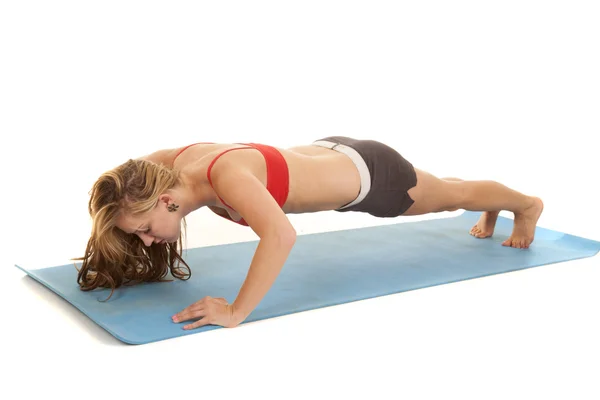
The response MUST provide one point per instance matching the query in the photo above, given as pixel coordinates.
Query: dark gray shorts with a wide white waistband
(385, 176)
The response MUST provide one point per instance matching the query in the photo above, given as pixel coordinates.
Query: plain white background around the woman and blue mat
(479, 90)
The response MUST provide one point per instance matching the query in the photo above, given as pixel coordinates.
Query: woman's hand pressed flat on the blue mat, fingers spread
(212, 311)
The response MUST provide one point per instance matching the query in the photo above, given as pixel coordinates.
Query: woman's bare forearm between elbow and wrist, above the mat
(270, 256)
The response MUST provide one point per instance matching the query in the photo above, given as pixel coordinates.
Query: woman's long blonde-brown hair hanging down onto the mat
(114, 258)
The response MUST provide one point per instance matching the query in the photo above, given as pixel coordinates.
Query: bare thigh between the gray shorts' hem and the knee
(432, 194)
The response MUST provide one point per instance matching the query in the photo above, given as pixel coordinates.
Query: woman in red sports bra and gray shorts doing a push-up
(138, 208)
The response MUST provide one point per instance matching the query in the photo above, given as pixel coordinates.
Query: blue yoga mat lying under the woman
(323, 269)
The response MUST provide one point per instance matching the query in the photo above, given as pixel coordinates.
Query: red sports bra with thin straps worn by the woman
(277, 172)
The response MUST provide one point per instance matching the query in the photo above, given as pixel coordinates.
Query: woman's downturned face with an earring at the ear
(156, 226)
